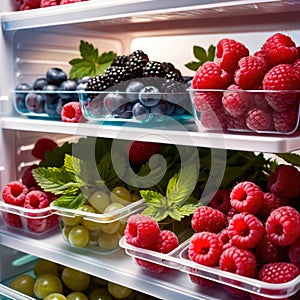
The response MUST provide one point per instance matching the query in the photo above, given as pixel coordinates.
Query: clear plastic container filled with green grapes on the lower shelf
(96, 232)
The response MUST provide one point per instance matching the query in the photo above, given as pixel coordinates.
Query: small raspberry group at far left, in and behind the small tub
(27, 194)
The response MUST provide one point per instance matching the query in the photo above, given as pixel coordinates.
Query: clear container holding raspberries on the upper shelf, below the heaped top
(247, 111)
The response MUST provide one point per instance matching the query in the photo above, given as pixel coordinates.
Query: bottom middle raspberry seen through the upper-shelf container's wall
(259, 120)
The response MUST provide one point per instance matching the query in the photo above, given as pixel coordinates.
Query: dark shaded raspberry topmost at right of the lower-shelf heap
(284, 182)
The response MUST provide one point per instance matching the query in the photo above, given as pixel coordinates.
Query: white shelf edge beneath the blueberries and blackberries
(243, 142)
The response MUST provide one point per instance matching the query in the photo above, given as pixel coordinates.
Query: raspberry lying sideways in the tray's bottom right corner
(278, 272)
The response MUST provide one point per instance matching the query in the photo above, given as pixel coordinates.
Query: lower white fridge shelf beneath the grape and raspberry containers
(117, 267)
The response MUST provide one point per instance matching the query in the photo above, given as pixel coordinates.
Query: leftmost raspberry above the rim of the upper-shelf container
(210, 76)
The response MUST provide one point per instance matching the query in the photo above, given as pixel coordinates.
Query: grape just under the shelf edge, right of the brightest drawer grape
(75, 280)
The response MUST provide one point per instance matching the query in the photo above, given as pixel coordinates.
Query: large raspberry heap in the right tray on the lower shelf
(250, 232)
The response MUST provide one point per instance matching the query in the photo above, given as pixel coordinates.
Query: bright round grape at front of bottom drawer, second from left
(47, 284)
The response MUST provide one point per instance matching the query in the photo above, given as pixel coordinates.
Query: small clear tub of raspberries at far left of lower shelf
(32, 222)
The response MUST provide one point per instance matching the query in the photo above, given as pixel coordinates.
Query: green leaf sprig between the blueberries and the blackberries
(91, 63)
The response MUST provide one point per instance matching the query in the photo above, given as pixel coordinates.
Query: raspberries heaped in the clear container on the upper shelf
(254, 92)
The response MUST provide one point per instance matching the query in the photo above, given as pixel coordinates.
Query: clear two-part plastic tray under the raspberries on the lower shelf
(210, 276)
